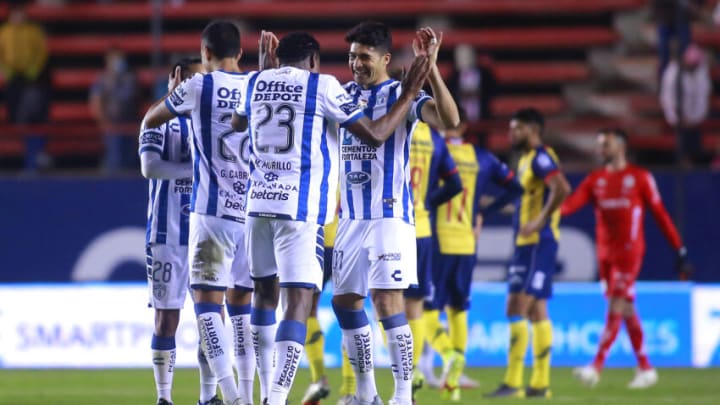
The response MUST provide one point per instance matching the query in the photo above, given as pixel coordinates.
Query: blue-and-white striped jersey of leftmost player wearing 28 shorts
(168, 210)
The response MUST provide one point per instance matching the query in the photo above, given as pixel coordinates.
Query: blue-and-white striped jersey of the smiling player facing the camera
(375, 182)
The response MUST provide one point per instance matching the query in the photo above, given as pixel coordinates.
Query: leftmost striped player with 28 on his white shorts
(165, 162)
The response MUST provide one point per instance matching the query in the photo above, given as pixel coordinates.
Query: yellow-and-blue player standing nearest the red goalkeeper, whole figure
(536, 222)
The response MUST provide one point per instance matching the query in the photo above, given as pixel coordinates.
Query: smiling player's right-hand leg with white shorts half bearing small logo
(393, 269)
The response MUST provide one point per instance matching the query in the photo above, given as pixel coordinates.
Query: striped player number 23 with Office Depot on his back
(292, 112)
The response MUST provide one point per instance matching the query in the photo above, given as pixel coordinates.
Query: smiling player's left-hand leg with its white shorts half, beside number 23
(350, 279)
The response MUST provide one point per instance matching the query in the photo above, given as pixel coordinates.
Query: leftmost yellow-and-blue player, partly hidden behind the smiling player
(430, 161)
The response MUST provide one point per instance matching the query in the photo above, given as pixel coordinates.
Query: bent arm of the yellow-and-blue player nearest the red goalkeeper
(547, 169)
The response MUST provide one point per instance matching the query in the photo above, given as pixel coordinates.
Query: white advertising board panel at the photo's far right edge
(706, 326)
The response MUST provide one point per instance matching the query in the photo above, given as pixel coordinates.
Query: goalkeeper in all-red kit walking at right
(620, 192)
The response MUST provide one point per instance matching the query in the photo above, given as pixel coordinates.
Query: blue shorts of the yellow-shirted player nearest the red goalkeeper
(532, 269)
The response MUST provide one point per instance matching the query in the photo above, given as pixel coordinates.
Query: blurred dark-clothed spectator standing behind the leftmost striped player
(114, 104)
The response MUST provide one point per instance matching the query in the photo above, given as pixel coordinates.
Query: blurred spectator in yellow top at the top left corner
(23, 60)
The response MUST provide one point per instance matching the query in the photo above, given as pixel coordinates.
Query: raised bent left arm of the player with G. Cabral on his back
(179, 101)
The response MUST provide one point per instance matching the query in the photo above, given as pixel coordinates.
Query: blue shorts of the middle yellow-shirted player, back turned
(452, 281)
